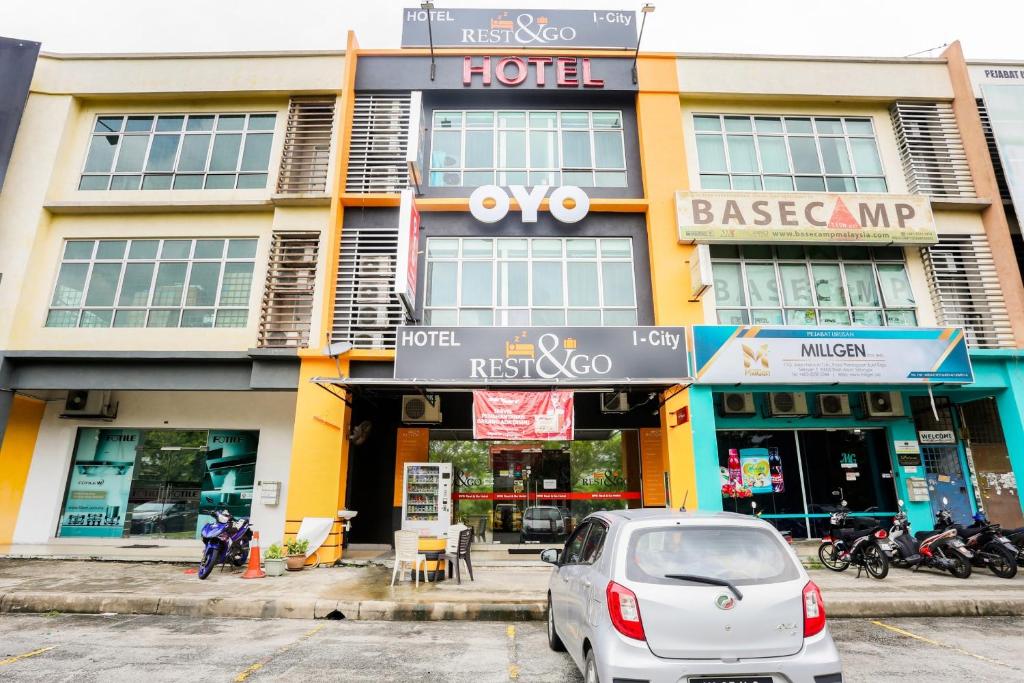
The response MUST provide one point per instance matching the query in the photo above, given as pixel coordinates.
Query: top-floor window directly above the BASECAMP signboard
(758, 127)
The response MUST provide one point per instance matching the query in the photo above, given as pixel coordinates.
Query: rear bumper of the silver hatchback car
(623, 660)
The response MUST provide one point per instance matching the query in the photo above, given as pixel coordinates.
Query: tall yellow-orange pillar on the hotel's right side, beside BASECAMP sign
(663, 157)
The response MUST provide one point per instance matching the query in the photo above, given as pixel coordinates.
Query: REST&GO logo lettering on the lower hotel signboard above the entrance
(549, 358)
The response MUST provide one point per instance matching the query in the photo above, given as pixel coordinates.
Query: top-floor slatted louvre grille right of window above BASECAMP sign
(931, 150)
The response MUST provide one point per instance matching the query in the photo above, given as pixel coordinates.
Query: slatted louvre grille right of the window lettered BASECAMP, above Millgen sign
(966, 290)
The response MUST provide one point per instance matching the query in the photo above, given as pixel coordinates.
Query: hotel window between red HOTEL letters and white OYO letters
(531, 176)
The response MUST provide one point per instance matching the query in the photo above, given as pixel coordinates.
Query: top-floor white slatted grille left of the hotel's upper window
(377, 144)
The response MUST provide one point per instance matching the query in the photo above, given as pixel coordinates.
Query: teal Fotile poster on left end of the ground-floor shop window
(100, 483)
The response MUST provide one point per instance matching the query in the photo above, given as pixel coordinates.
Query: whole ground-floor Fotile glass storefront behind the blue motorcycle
(155, 483)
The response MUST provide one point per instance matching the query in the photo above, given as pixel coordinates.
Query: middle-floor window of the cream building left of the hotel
(196, 306)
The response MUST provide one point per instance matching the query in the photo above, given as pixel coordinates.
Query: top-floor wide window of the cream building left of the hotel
(168, 174)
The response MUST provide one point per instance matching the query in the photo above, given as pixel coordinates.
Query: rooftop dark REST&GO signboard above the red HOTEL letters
(610, 29)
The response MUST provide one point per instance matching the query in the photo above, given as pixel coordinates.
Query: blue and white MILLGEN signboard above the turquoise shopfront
(742, 355)
